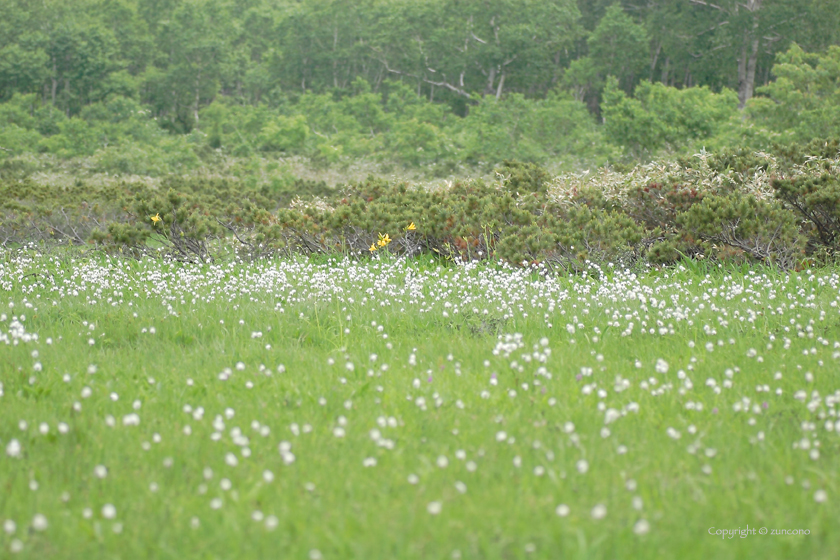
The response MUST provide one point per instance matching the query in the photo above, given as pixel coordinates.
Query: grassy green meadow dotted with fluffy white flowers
(287, 409)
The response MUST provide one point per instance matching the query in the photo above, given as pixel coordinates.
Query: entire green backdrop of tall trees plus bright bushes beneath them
(155, 87)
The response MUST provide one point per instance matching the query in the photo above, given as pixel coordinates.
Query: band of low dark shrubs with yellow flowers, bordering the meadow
(779, 208)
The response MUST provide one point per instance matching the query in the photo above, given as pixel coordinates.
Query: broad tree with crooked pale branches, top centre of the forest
(471, 48)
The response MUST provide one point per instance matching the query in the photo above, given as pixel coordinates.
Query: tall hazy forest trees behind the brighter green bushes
(180, 55)
